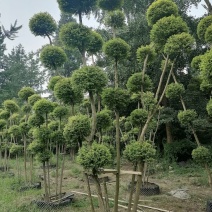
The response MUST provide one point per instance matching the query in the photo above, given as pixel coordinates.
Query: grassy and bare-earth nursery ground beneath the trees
(186, 176)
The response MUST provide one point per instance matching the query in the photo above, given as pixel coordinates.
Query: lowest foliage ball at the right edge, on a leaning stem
(202, 155)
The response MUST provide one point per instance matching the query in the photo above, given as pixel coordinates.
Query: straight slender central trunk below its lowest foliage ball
(118, 158)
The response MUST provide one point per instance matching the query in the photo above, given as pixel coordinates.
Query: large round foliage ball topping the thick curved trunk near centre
(89, 79)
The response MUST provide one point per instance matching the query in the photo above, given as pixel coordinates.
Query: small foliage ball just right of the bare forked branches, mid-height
(175, 90)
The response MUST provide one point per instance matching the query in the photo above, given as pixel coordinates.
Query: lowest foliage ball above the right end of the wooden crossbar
(139, 152)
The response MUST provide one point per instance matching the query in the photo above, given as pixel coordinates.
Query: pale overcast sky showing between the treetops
(23, 10)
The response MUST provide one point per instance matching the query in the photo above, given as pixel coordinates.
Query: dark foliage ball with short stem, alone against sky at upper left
(42, 24)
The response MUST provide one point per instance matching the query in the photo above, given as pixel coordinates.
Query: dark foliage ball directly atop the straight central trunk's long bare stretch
(115, 99)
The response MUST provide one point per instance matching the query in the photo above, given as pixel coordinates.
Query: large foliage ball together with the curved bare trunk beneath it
(90, 79)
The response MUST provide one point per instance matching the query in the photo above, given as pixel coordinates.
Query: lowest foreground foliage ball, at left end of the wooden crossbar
(95, 157)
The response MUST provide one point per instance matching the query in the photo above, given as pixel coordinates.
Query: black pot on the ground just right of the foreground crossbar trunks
(147, 189)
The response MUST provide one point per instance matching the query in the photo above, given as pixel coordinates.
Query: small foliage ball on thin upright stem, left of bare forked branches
(143, 51)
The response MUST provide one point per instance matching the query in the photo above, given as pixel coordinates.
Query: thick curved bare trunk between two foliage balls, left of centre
(94, 119)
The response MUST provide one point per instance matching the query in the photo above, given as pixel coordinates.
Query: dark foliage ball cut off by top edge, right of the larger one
(110, 5)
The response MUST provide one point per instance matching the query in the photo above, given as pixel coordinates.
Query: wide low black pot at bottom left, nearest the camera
(65, 200)
